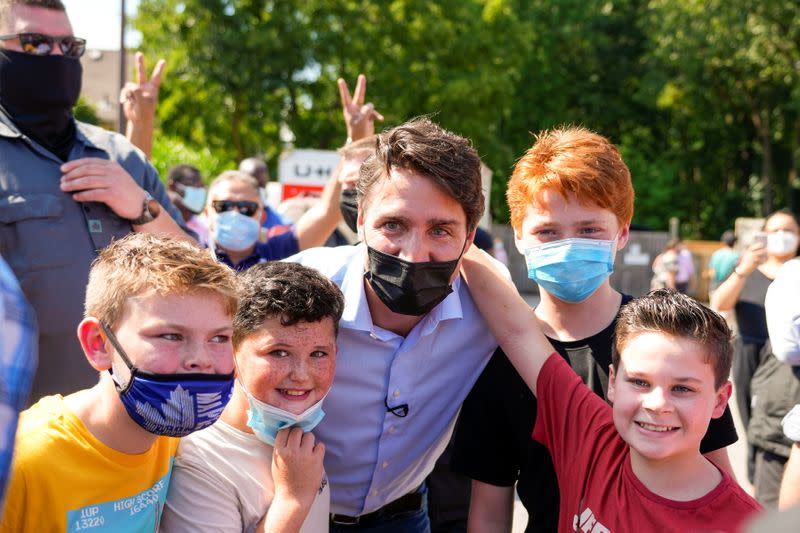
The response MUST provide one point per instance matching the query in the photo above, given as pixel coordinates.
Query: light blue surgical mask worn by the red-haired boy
(571, 269)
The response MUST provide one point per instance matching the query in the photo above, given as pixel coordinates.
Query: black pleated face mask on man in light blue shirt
(409, 288)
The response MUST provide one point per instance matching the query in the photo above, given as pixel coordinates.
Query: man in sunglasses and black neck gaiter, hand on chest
(67, 189)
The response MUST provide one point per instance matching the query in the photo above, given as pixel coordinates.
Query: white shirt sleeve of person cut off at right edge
(783, 313)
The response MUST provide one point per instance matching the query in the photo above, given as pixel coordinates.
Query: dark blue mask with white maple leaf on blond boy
(172, 405)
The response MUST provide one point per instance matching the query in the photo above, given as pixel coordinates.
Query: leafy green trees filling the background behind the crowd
(701, 96)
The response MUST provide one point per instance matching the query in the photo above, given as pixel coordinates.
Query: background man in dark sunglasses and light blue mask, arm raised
(235, 212)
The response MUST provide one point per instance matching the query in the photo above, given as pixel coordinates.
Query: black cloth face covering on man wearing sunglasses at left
(38, 94)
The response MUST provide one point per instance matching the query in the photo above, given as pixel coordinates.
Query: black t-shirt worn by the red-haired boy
(493, 442)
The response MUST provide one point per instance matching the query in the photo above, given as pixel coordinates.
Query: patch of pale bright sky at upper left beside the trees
(98, 22)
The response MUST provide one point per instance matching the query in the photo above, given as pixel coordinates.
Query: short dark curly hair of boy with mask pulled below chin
(290, 291)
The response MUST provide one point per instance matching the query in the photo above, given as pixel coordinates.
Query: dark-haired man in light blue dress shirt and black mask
(411, 341)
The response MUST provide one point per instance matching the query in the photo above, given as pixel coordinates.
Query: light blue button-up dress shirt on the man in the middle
(374, 456)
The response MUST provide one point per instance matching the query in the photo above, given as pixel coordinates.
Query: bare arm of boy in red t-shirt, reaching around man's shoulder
(511, 320)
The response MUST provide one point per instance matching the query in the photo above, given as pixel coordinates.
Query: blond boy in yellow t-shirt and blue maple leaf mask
(158, 328)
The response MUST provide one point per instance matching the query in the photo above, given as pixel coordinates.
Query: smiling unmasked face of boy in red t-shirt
(664, 396)
